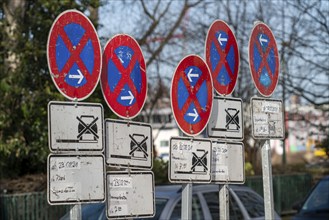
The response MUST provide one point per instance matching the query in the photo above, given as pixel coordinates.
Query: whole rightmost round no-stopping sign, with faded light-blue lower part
(263, 59)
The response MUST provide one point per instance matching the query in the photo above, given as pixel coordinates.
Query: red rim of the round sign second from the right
(215, 26)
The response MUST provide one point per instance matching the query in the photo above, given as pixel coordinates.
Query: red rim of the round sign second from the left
(126, 112)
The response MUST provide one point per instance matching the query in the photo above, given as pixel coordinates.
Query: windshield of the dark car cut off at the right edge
(319, 198)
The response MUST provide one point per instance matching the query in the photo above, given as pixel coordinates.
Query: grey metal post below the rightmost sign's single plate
(267, 180)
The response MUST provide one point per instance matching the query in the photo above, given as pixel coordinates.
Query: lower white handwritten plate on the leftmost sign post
(74, 178)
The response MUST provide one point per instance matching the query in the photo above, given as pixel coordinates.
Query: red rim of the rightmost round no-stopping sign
(258, 27)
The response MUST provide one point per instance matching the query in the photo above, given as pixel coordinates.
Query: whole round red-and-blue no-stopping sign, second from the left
(123, 79)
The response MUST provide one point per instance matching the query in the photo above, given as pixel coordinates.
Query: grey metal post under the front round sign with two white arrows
(186, 201)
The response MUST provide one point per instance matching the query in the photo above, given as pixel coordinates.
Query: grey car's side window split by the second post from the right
(212, 199)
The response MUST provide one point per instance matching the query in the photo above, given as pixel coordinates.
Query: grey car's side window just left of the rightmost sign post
(252, 202)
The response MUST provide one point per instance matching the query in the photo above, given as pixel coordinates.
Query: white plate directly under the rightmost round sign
(267, 118)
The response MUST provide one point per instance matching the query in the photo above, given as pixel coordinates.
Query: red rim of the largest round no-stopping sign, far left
(71, 92)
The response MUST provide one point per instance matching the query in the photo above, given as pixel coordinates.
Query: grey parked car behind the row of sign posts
(244, 204)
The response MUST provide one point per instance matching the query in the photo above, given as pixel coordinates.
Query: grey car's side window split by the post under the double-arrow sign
(197, 212)
